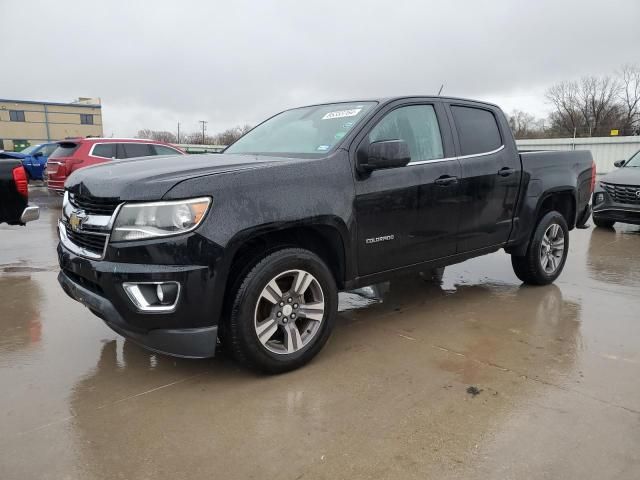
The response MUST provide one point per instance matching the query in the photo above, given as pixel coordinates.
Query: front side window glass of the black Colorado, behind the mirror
(417, 125)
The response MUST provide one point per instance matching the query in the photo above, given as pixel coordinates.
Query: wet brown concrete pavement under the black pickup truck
(478, 376)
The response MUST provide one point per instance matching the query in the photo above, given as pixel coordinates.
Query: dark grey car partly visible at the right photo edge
(617, 195)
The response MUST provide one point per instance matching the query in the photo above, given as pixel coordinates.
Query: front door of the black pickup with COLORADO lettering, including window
(409, 214)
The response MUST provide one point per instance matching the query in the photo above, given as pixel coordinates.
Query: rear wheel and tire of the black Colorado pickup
(532, 268)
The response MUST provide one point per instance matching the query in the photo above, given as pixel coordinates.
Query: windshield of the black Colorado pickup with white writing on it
(309, 130)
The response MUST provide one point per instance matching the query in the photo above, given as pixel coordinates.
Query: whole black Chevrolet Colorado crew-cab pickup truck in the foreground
(250, 247)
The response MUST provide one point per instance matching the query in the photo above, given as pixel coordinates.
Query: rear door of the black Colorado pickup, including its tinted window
(490, 178)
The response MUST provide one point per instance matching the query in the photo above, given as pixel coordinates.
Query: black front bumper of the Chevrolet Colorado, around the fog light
(187, 328)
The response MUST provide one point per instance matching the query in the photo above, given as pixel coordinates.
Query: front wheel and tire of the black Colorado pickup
(281, 286)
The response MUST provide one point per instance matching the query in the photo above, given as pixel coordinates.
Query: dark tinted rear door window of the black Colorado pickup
(477, 130)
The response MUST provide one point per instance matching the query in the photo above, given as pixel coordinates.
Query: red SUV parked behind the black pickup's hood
(76, 153)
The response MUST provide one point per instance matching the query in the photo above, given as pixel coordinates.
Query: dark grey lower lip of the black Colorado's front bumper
(183, 342)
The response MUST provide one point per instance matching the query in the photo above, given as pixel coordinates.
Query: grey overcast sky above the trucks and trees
(232, 62)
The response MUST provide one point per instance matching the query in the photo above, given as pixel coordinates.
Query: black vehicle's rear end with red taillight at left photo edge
(14, 192)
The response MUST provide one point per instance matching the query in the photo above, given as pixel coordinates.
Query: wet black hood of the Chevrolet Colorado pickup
(149, 178)
